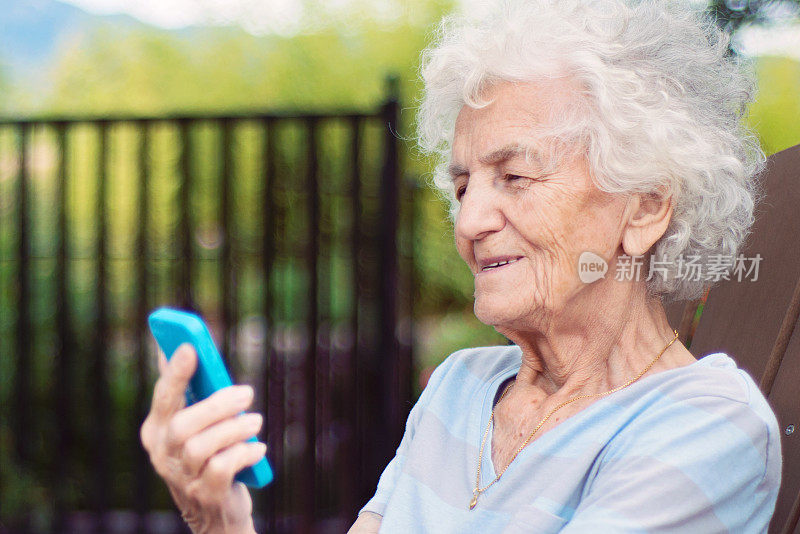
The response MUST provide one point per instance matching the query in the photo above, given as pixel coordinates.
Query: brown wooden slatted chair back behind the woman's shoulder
(754, 321)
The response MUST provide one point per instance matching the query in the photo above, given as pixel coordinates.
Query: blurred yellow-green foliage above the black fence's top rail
(151, 71)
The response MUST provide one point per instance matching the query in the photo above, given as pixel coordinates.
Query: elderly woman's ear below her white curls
(648, 215)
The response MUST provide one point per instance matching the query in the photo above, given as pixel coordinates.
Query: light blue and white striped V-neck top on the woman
(694, 449)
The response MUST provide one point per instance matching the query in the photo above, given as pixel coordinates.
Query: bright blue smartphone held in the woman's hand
(172, 328)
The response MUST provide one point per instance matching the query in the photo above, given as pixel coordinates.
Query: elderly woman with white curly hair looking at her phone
(572, 133)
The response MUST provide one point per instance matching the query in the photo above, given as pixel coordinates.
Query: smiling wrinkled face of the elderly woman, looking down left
(513, 210)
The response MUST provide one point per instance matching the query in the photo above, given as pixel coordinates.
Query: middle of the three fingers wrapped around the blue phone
(200, 447)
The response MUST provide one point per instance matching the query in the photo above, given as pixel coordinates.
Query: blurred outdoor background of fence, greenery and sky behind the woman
(252, 161)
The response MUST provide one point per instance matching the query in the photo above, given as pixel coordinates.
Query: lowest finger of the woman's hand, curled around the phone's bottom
(217, 476)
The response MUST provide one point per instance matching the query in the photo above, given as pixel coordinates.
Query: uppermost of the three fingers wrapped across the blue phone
(221, 405)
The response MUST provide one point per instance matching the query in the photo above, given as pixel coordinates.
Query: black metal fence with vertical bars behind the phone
(289, 232)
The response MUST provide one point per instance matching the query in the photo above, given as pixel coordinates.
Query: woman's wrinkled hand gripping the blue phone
(197, 450)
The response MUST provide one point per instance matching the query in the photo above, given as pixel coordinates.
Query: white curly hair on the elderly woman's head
(660, 109)
